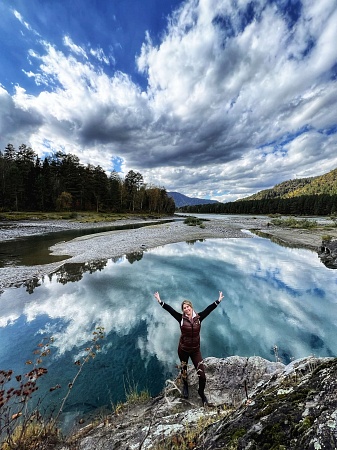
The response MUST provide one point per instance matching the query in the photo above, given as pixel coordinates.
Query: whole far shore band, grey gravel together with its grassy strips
(289, 232)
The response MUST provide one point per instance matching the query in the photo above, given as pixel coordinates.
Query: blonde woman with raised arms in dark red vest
(189, 342)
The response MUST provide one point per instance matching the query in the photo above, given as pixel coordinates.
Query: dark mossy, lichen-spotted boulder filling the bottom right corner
(295, 410)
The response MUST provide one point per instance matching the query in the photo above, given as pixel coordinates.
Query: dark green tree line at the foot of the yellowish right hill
(306, 205)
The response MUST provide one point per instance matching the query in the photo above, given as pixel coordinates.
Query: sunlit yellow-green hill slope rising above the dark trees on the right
(322, 184)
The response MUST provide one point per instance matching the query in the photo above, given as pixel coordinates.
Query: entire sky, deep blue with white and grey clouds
(214, 99)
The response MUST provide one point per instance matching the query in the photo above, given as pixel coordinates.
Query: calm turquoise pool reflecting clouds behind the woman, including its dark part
(273, 296)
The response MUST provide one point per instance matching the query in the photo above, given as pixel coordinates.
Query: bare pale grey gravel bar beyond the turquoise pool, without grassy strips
(106, 245)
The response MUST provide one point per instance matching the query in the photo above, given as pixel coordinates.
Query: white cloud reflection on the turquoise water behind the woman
(273, 296)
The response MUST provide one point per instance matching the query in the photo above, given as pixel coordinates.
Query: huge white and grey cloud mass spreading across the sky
(238, 99)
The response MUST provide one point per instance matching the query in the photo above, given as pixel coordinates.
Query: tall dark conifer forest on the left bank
(60, 182)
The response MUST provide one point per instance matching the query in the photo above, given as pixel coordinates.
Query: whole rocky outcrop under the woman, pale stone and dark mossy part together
(257, 404)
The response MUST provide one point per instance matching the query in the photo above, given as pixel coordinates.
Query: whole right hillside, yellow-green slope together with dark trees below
(306, 196)
